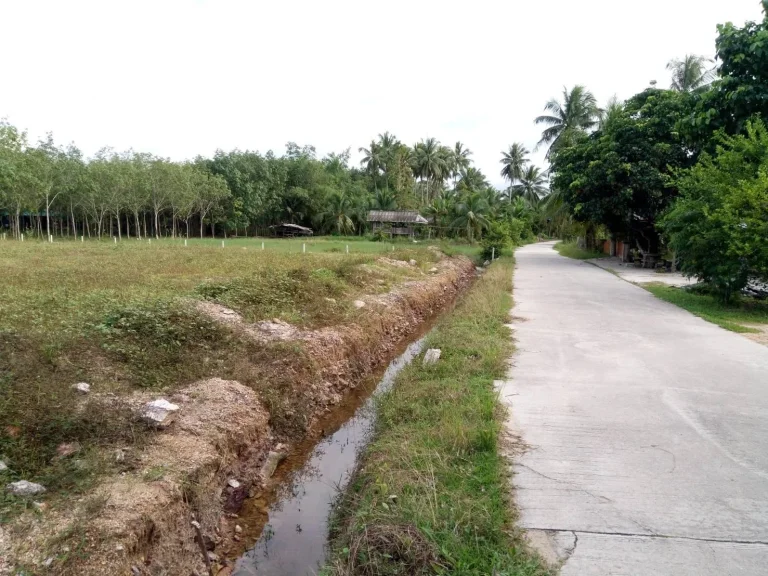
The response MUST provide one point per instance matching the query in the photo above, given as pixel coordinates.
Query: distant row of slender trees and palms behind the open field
(47, 189)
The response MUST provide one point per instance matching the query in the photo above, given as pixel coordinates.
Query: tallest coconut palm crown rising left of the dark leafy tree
(576, 114)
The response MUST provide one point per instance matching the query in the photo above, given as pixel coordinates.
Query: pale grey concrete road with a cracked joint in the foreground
(647, 428)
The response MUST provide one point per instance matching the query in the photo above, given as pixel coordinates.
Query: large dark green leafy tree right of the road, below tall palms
(622, 176)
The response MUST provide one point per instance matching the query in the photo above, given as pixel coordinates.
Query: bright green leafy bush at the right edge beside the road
(719, 224)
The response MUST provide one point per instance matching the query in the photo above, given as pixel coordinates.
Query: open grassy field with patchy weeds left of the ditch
(117, 316)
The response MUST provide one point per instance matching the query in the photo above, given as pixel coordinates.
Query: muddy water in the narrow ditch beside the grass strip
(292, 524)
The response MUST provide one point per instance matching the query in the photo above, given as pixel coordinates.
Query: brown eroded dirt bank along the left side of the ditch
(208, 461)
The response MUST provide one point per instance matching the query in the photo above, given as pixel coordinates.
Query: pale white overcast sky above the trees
(183, 77)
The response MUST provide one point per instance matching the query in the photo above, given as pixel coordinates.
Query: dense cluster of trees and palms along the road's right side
(678, 172)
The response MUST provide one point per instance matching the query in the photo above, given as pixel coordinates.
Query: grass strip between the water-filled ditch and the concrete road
(432, 493)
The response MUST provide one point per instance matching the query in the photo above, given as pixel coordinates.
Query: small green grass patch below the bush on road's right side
(729, 316)
